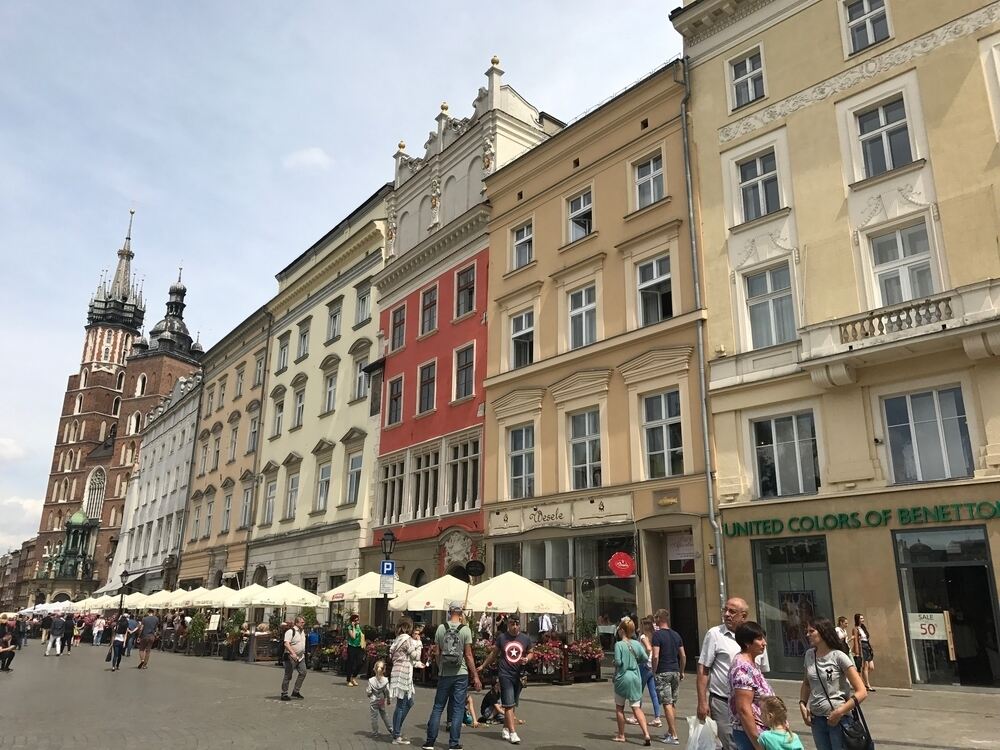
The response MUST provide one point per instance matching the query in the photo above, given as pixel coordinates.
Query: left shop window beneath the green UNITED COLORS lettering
(793, 586)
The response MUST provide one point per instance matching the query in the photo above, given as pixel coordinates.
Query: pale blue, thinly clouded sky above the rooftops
(240, 132)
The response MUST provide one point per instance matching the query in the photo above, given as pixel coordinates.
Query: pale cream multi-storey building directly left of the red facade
(319, 442)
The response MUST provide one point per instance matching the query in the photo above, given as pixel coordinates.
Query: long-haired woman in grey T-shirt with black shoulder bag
(825, 701)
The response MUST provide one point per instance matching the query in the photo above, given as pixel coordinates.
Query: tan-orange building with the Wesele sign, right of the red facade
(594, 471)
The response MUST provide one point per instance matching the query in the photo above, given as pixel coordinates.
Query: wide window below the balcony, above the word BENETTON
(928, 436)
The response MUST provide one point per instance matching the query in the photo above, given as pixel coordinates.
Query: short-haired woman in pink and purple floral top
(748, 687)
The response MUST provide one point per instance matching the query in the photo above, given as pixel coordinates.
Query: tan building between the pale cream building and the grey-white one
(225, 483)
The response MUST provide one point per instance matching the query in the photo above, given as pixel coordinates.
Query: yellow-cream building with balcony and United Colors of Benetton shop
(846, 156)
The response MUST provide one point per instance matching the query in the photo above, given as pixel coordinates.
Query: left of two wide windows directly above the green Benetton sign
(787, 462)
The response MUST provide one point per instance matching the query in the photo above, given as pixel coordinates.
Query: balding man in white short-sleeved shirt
(717, 652)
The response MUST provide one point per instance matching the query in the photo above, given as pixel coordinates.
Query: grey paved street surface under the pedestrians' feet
(185, 702)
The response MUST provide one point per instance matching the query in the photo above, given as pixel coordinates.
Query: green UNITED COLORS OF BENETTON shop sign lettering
(875, 518)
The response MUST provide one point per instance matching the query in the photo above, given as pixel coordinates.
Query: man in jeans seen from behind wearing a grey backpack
(455, 665)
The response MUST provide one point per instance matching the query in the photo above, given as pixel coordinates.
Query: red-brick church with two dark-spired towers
(121, 376)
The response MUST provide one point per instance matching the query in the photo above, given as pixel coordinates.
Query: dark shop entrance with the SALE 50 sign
(950, 606)
